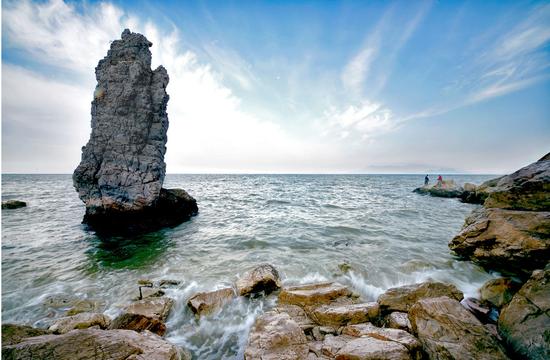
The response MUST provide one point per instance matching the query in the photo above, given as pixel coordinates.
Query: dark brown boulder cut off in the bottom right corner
(525, 322)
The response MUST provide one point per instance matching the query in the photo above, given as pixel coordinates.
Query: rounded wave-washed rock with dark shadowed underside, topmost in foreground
(264, 278)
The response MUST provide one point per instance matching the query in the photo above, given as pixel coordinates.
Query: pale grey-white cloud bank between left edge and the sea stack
(44, 122)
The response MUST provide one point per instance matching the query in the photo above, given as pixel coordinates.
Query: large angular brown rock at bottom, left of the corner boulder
(448, 331)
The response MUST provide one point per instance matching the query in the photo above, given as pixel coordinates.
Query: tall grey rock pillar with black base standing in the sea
(122, 170)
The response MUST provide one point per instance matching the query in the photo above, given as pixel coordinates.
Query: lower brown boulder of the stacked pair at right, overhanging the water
(510, 241)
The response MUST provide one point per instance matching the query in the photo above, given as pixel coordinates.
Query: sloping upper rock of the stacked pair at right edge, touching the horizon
(525, 189)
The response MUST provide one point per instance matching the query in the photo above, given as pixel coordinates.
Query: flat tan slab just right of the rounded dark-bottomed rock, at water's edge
(313, 294)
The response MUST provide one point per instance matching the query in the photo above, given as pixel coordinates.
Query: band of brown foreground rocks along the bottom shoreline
(430, 320)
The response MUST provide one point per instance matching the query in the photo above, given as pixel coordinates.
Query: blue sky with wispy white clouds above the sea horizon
(292, 86)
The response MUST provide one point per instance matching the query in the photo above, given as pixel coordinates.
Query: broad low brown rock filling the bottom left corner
(94, 344)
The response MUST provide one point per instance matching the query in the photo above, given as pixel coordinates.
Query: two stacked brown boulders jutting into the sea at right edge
(512, 232)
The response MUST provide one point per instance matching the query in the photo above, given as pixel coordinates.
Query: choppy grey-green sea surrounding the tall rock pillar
(304, 225)
